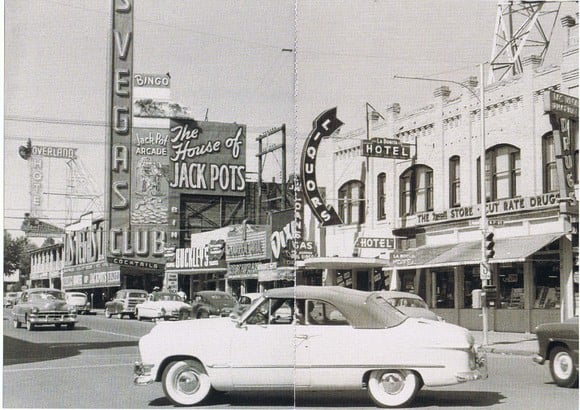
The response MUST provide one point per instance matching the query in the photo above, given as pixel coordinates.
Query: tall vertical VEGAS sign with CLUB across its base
(141, 247)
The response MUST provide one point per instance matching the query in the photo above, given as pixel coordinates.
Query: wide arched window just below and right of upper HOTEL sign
(416, 190)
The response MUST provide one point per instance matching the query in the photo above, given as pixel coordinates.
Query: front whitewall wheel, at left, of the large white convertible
(186, 382)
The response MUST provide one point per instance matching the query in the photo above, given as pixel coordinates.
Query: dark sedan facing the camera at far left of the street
(43, 306)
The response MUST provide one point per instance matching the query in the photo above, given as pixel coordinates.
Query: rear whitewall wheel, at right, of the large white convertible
(393, 388)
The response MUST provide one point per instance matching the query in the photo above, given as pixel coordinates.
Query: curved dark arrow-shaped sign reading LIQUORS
(323, 126)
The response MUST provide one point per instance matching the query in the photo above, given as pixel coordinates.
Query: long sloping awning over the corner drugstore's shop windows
(515, 249)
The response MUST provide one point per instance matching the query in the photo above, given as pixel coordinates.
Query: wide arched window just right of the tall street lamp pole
(502, 173)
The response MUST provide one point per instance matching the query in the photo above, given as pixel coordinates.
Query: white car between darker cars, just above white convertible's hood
(163, 305)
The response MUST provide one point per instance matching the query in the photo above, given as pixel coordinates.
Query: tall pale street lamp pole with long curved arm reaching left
(484, 268)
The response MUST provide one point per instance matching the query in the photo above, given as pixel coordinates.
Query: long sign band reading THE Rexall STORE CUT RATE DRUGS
(504, 206)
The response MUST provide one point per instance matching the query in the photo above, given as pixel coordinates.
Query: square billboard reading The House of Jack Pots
(207, 158)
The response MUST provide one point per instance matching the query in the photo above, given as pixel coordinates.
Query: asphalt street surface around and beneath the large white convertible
(91, 367)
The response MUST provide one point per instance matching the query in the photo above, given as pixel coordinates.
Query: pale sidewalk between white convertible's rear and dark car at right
(522, 344)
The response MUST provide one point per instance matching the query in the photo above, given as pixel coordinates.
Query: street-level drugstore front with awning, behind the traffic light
(529, 273)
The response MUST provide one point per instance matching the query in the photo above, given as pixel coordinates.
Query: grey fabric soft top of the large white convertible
(361, 308)
